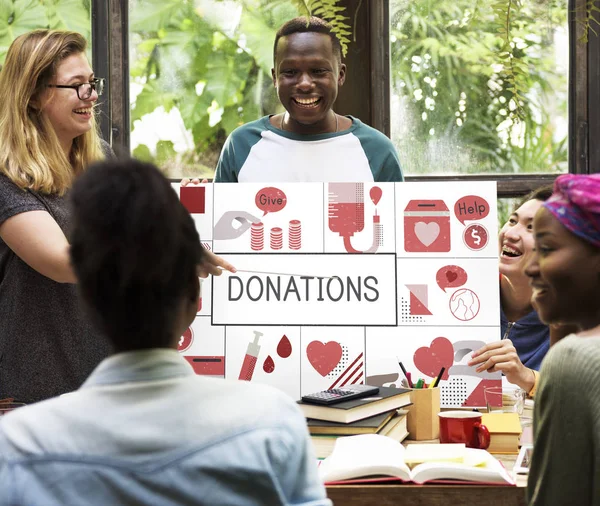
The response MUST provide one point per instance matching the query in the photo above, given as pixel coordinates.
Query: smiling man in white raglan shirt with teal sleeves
(309, 141)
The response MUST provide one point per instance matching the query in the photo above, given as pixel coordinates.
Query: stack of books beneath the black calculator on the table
(372, 415)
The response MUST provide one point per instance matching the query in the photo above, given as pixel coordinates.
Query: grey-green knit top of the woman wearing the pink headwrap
(566, 457)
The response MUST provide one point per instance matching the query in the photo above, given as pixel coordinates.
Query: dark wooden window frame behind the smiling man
(368, 74)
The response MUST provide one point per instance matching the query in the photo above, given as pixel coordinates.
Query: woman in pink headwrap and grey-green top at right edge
(564, 274)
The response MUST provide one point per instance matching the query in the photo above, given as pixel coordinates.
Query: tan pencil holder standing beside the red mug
(422, 421)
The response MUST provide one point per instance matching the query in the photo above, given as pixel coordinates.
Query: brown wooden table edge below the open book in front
(432, 495)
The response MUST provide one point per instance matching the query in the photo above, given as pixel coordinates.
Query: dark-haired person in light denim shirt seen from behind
(143, 428)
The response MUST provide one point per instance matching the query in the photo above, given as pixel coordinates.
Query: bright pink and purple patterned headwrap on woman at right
(576, 204)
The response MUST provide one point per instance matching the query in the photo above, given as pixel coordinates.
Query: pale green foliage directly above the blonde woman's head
(20, 16)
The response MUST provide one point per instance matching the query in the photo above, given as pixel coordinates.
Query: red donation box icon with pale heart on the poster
(426, 226)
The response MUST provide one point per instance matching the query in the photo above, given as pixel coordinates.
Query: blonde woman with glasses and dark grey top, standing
(48, 136)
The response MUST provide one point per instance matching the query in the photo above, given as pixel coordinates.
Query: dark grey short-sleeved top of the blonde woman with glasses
(47, 347)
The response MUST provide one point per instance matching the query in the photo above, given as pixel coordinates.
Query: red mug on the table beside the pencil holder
(464, 427)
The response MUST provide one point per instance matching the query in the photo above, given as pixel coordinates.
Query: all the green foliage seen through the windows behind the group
(473, 79)
